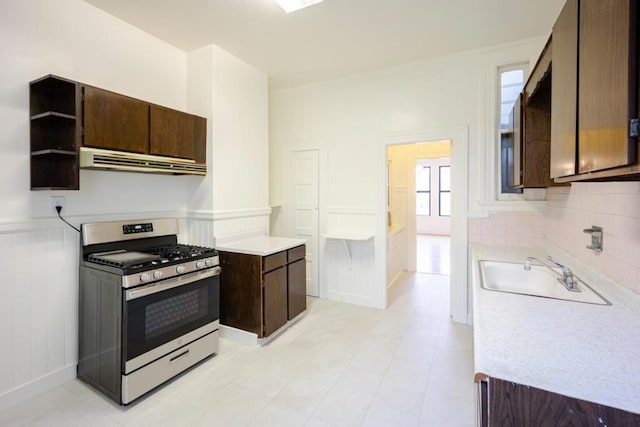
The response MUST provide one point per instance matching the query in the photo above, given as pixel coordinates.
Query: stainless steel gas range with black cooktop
(148, 306)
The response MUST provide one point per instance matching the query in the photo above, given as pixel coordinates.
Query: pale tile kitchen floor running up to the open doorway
(341, 365)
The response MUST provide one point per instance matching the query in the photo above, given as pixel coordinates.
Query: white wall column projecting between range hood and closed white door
(235, 194)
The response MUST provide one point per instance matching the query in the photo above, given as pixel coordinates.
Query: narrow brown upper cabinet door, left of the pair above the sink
(564, 95)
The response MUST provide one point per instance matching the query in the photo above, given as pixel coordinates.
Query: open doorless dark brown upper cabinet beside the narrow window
(532, 127)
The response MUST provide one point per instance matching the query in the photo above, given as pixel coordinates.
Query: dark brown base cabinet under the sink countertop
(504, 404)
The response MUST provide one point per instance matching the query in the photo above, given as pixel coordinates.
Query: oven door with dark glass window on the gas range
(163, 316)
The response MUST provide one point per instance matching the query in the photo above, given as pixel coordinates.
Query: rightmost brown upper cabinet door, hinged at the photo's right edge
(607, 74)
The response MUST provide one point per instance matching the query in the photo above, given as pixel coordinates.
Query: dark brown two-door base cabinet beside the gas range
(260, 294)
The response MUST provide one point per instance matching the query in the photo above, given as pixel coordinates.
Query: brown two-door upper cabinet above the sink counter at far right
(595, 94)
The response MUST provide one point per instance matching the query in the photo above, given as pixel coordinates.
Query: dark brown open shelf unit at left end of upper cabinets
(54, 104)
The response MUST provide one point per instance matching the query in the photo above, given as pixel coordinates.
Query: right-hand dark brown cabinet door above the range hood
(172, 133)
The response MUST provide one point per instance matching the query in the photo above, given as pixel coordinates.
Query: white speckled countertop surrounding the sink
(586, 351)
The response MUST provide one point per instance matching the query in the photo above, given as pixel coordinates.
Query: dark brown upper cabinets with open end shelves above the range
(66, 115)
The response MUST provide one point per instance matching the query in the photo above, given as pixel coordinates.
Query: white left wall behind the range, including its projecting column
(39, 254)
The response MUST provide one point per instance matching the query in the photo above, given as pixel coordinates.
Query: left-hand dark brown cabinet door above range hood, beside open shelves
(115, 122)
